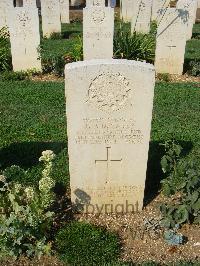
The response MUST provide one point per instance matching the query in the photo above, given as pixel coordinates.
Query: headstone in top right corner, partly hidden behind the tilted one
(191, 7)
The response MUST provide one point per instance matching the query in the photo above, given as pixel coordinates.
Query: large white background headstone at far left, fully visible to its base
(24, 38)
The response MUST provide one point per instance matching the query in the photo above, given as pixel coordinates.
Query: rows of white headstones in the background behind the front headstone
(174, 28)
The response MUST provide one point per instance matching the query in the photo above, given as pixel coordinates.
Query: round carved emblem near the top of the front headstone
(103, 94)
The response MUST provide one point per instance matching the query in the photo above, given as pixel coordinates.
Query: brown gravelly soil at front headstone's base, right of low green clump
(139, 244)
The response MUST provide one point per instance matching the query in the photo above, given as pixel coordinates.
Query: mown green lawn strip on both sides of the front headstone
(33, 119)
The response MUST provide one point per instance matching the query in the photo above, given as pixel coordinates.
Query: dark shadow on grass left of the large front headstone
(26, 154)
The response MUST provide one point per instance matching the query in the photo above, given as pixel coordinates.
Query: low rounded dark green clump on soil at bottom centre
(84, 244)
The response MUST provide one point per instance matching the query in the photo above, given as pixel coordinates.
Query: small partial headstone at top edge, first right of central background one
(126, 10)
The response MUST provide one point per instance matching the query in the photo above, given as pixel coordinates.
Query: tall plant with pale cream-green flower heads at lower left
(25, 216)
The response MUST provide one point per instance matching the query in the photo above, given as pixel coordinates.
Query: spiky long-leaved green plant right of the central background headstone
(135, 46)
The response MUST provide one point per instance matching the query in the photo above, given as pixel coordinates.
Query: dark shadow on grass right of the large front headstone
(154, 170)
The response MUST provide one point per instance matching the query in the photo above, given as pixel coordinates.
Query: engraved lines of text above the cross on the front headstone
(109, 131)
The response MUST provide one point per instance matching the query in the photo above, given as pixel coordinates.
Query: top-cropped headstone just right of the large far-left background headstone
(50, 17)
